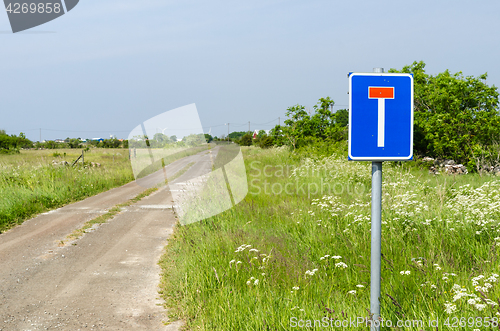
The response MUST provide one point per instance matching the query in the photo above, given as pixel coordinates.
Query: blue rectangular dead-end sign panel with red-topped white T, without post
(380, 117)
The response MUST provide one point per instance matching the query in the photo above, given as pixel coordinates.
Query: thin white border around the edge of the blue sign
(379, 158)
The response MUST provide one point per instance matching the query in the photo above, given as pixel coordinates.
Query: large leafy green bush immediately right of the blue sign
(454, 114)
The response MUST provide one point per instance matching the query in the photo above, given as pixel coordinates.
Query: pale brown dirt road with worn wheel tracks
(106, 280)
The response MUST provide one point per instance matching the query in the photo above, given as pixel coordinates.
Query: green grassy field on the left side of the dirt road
(30, 183)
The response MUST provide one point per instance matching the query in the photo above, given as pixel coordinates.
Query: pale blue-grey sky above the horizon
(107, 66)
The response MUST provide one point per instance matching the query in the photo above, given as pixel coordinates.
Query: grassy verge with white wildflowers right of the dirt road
(297, 249)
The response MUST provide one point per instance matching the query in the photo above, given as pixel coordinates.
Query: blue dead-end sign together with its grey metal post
(380, 129)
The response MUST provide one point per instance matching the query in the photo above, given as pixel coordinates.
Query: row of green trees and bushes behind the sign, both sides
(455, 117)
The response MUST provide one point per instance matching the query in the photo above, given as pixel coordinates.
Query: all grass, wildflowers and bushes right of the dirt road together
(297, 248)
